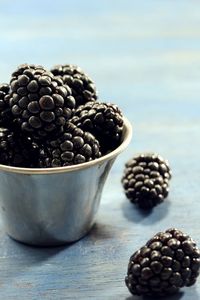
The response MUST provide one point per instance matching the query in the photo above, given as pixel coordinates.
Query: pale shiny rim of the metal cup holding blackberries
(98, 161)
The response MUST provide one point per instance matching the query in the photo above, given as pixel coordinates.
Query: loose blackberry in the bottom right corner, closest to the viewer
(168, 261)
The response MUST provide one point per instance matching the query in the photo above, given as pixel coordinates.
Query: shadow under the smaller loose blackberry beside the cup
(136, 215)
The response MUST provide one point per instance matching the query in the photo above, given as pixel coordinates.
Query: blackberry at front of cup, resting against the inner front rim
(74, 146)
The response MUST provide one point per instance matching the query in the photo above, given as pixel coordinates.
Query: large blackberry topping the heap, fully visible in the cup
(39, 102)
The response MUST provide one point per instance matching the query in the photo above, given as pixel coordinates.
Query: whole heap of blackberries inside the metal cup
(54, 118)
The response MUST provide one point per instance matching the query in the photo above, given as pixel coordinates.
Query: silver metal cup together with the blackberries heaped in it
(58, 142)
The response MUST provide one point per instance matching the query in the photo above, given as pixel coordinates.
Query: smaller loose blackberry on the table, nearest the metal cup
(146, 180)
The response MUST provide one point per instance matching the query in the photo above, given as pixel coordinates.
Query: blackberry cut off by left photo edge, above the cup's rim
(5, 113)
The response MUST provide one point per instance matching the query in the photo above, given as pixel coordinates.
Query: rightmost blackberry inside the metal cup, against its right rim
(103, 120)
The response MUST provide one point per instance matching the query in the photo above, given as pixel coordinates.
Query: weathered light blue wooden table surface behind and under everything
(145, 57)
